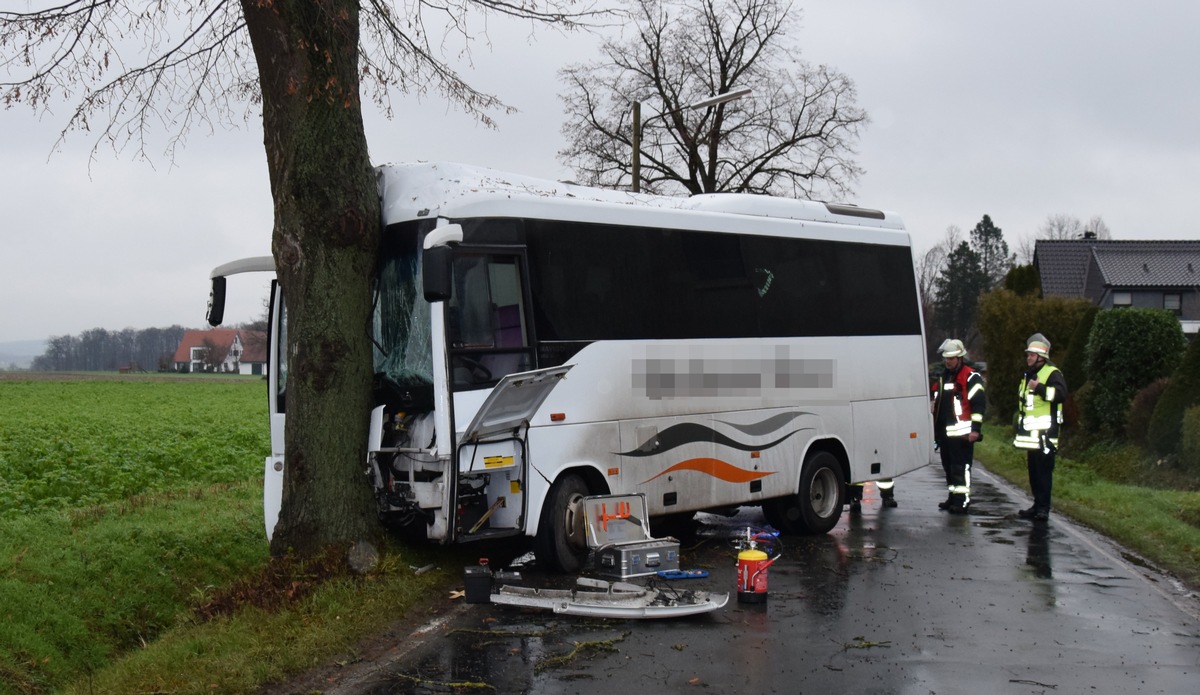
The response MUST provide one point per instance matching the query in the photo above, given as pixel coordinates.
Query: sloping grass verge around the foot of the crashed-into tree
(177, 595)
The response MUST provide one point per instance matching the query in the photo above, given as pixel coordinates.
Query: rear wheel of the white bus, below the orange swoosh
(817, 507)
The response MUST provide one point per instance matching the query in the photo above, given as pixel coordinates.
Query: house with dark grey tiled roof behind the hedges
(1115, 274)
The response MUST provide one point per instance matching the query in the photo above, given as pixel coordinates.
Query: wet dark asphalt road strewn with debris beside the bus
(907, 601)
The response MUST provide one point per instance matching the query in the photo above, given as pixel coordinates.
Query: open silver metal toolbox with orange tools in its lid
(620, 534)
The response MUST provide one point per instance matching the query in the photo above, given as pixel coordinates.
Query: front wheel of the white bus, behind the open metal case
(562, 544)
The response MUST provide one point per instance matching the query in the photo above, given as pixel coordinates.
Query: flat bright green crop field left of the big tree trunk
(70, 445)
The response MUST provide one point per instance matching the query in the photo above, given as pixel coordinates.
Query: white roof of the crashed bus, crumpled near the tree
(416, 191)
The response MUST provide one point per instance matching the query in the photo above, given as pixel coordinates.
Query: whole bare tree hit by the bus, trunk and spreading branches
(305, 65)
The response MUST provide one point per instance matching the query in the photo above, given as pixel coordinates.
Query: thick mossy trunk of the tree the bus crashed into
(326, 238)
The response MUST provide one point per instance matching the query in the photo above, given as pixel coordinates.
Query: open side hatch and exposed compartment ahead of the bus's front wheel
(494, 457)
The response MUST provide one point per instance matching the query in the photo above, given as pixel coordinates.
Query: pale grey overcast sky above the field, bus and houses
(1017, 110)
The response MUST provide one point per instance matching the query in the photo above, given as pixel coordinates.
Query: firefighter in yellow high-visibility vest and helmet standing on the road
(1040, 416)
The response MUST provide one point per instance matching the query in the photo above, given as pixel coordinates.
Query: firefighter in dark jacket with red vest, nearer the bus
(958, 404)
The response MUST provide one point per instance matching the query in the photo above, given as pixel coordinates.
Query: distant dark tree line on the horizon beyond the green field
(99, 350)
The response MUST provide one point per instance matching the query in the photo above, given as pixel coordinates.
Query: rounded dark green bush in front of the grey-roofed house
(1127, 350)
